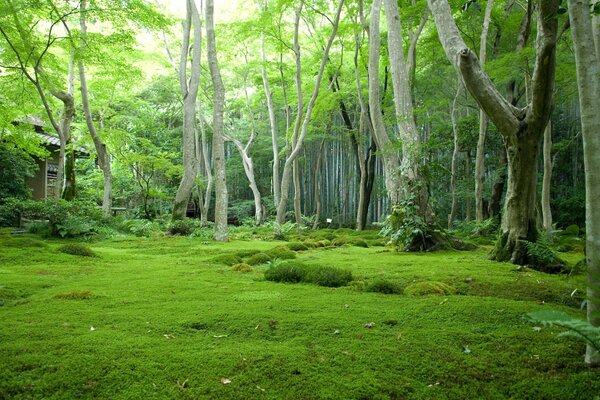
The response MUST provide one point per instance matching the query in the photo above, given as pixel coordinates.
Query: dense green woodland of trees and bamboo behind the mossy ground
(418, 116)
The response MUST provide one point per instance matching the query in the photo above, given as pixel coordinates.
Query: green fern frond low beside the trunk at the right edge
(578, 329)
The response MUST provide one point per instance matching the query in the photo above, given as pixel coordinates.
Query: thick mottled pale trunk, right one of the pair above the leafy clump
(412, 181)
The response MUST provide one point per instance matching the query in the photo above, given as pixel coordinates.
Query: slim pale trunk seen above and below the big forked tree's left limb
(483, 121)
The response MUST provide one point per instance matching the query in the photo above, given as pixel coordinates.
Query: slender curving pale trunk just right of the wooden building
(101, 151)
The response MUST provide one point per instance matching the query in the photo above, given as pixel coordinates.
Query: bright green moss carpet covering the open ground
(164, 318)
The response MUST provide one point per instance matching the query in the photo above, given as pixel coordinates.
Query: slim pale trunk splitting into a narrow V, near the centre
(300, 132)
